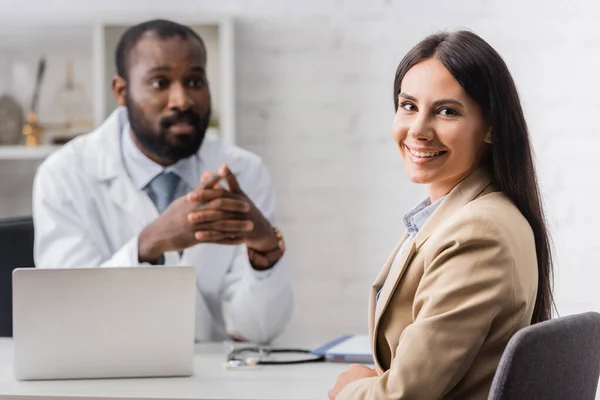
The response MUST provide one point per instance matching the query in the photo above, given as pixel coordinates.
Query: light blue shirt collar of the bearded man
(142, 170)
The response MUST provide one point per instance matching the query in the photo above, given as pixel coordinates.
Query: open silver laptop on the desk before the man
(103, 322)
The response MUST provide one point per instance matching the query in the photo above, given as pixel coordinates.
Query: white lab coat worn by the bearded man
(88, 213)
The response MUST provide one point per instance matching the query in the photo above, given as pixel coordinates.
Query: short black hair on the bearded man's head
(162, 28)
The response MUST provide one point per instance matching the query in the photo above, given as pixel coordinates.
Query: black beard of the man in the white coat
(157, 143)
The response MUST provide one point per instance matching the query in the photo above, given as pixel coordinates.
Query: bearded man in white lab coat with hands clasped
(151, 187)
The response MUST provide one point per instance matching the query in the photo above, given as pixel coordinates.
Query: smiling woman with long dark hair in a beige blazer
(474, 265)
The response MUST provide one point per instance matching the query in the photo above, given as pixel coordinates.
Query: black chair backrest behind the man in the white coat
(16, 250)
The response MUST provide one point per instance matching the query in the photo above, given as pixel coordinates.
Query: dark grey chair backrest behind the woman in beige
(552, 360)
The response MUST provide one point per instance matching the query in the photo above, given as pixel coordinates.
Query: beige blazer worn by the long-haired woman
(453, 299)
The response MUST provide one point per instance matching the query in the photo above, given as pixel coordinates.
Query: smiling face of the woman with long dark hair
(439, 129)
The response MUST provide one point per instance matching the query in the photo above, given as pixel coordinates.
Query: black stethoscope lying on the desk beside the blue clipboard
(235, 358)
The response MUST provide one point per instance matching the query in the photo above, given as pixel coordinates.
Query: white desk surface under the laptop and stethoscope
(210, 381)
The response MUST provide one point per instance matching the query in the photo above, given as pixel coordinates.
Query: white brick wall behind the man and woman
(314, 84)
